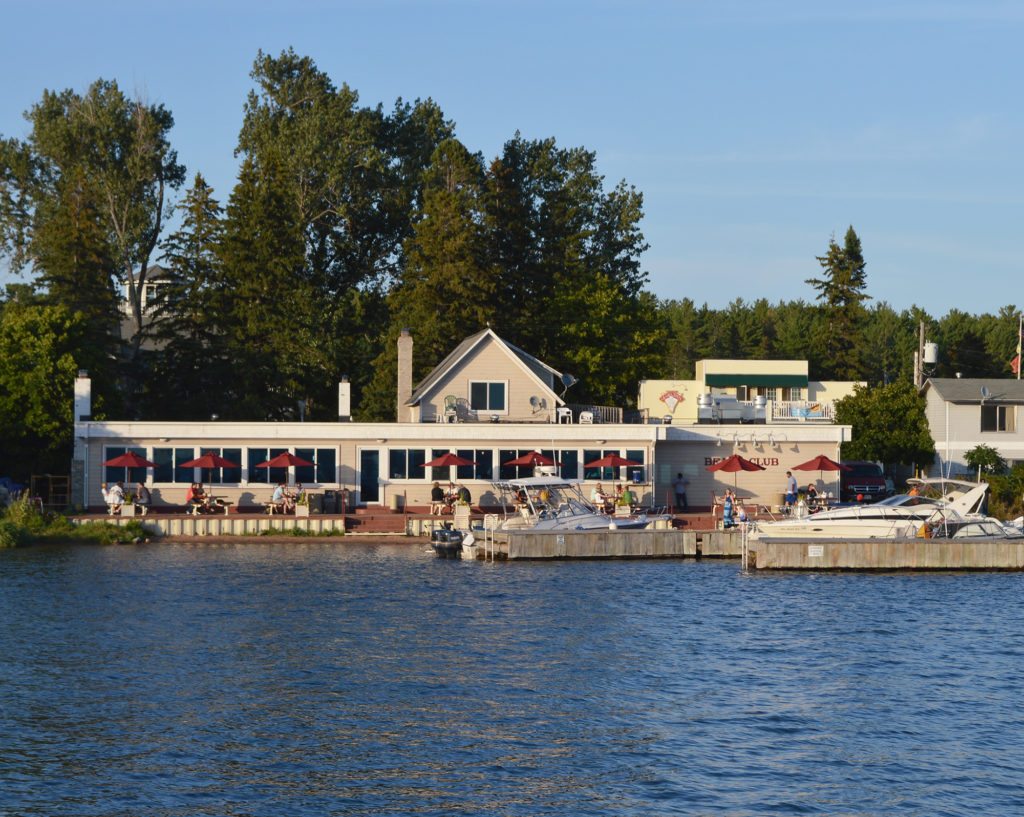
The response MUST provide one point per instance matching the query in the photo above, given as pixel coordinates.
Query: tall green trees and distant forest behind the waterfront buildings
(348, 224)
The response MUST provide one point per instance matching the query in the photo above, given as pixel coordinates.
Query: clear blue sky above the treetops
(755, 131)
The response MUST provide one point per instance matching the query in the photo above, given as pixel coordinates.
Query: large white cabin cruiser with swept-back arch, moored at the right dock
(934, 508)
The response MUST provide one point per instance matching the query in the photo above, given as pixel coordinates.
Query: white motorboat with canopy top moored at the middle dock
(550, 503)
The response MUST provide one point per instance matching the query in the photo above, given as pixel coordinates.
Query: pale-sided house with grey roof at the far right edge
(964, 413)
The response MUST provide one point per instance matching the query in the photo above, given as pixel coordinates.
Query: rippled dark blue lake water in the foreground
(334, 679)
